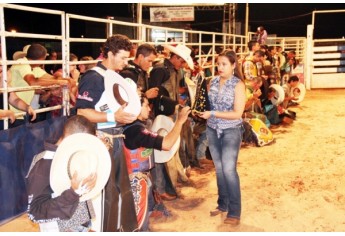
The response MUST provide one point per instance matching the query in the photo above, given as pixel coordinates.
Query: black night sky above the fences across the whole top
(283, 19)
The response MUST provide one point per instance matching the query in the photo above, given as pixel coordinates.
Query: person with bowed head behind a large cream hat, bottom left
(64, 212)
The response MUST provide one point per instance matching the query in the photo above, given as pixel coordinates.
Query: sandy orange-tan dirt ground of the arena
(293, 185)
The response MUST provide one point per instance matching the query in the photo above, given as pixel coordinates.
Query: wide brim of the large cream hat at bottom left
(59, 178)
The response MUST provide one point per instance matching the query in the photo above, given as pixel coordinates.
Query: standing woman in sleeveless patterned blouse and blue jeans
(224, 132)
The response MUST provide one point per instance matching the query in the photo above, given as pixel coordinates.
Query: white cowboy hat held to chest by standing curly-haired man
(119, 90)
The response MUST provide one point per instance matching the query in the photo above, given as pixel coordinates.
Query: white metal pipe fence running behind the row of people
(209, 43)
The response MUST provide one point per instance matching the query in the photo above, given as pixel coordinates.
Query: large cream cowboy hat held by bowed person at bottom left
(84, 153)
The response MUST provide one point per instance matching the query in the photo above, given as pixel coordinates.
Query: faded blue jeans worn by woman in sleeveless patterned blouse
(224, 152)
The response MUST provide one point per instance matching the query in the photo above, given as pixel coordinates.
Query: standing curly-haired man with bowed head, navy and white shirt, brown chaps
(93, 103)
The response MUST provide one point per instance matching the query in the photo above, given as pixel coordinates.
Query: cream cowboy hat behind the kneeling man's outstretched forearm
(163, 125)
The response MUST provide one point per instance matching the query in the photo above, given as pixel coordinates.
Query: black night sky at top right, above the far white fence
(292, 19)
